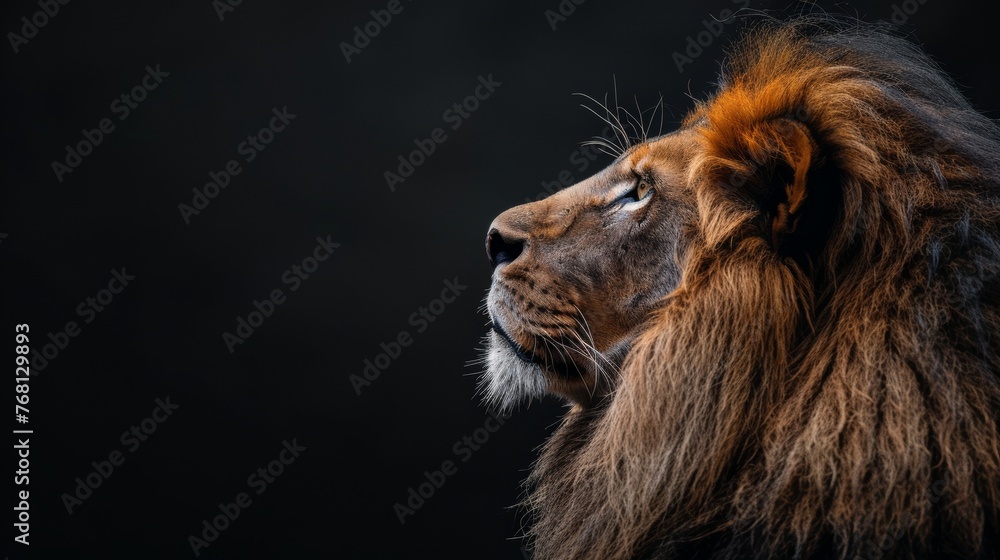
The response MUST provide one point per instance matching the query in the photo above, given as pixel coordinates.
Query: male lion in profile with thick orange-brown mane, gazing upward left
(776, 328)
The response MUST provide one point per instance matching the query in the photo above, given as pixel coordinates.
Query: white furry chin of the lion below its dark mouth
(509, 379)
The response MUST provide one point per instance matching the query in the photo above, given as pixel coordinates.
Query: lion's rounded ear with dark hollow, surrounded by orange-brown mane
(793, 154)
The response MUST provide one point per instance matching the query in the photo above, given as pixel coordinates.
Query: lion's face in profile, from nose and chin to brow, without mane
(576, 274)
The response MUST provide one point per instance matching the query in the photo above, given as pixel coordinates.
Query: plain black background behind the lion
(321, 176)
